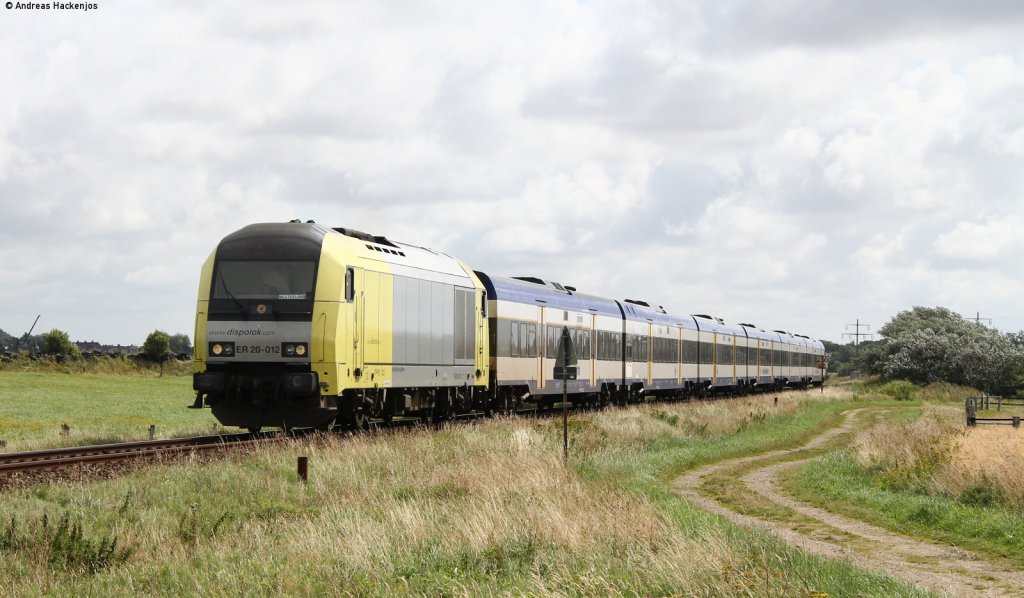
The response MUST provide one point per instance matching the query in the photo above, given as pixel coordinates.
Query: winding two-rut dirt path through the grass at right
(947, 571)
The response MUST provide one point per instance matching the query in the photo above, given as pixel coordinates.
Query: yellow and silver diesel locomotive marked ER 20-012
(300, 325)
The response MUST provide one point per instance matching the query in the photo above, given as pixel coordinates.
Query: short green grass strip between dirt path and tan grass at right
(838, 483)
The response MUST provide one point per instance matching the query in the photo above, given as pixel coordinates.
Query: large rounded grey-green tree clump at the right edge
(930, 345)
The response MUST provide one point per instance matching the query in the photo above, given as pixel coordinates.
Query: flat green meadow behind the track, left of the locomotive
(98, 409)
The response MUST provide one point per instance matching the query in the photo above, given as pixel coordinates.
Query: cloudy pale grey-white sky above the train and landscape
(797, 165)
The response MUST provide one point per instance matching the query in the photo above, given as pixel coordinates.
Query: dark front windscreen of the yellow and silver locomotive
(265, 280)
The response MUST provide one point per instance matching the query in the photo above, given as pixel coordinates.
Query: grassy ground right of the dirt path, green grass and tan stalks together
(930, 479)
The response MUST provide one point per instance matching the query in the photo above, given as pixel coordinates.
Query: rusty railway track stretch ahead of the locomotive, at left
(58, 458)
